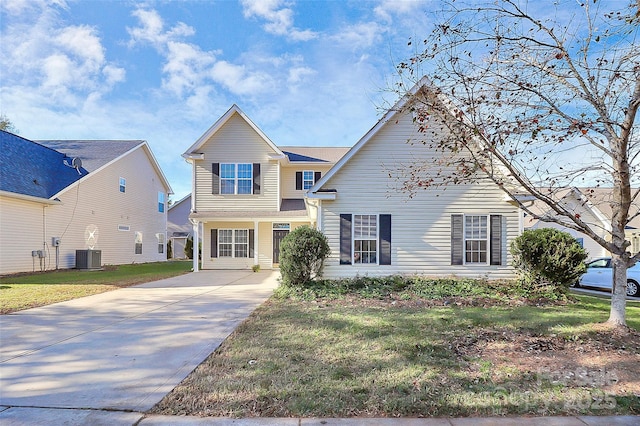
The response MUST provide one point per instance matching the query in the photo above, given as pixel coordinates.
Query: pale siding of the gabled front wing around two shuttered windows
(421, 225)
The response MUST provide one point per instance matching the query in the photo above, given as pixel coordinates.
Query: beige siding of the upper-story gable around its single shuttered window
(236, 142)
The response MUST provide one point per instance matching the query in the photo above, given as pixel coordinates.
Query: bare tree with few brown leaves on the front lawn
(539, 96)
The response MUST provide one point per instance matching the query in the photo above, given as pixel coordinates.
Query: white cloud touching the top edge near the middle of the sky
(278, 17)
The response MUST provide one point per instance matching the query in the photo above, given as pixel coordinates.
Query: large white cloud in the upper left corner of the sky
(61, 62)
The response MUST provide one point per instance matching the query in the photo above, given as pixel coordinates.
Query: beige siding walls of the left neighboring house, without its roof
(95, 204)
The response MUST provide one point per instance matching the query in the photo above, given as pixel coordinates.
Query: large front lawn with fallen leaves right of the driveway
(402, 356)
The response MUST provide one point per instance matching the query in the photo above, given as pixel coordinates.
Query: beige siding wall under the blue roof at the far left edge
(22, 230)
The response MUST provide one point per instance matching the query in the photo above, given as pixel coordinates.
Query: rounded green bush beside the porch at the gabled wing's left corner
(302, 255)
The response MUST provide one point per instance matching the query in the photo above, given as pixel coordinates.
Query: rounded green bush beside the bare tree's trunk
(548, 257)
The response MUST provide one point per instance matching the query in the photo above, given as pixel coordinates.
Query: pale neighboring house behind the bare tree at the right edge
(593, 205)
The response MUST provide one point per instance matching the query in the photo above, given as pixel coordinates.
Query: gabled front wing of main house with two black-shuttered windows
(374, 228)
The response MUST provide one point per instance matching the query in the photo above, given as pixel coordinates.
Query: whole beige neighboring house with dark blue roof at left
(116, 203)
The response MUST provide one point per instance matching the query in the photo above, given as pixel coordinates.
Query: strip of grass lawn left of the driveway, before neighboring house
(25, 291)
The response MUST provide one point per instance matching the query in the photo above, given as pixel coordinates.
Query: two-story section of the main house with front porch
(248, 193)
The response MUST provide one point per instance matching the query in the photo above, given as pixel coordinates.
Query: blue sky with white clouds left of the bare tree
(306, 72)
